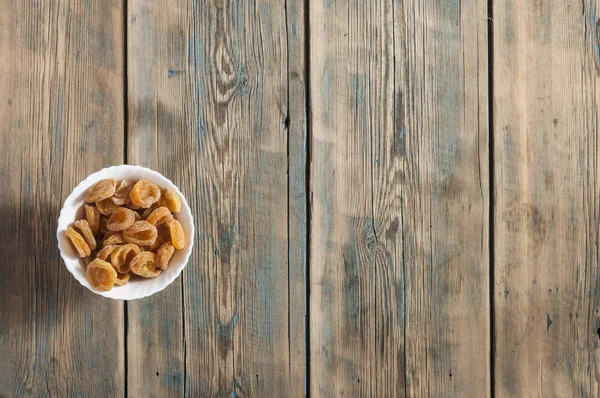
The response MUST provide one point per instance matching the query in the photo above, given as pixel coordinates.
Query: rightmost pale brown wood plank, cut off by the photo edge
(546, 86)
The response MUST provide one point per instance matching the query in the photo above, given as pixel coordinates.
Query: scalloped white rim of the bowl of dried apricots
(78, 191)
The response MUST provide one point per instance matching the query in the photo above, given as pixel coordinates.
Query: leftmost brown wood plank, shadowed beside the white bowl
(61, 118)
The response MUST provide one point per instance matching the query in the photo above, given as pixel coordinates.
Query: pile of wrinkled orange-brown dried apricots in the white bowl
(128, 228)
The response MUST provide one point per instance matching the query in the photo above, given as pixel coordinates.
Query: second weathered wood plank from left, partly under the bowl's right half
(215, 93)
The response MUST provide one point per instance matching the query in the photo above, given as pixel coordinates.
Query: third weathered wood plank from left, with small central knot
(399, 220)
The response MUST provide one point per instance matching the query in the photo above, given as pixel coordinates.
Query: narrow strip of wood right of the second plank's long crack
(297, 125)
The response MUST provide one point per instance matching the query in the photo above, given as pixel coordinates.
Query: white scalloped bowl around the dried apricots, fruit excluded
(73, 210)
